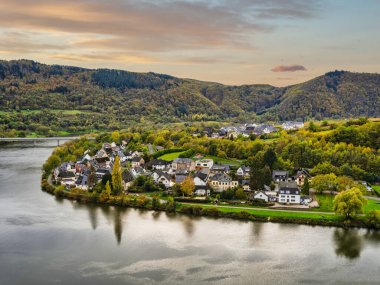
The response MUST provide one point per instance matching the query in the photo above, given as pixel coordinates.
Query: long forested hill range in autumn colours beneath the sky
(110, 98)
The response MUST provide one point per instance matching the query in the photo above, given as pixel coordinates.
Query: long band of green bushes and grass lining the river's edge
(170, 206)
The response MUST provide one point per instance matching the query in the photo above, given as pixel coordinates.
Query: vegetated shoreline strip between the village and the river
(206, 210)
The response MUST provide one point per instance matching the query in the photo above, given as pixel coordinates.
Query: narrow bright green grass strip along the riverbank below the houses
(272, 213)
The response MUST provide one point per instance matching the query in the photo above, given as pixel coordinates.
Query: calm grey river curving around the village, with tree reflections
(48, 241)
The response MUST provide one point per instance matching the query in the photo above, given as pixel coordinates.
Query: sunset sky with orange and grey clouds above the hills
(278, 42)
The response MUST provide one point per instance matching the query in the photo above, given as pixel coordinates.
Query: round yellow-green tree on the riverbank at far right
(349, 202)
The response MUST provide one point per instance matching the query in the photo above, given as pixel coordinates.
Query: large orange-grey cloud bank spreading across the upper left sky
(153, 25)
